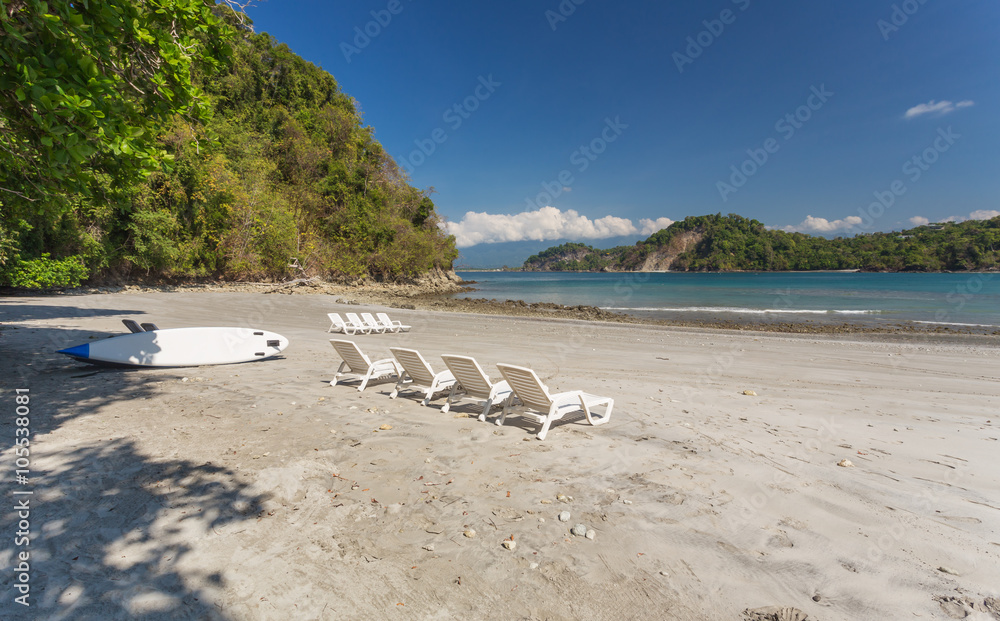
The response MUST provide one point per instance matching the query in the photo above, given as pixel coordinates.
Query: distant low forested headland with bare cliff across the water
(735, 243)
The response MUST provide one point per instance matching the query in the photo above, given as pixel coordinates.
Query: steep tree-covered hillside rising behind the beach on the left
(144, 141)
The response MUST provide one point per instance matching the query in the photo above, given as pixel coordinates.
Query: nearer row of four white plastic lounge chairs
(521, 391)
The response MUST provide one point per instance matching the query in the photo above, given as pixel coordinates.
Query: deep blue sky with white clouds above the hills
(588, 119)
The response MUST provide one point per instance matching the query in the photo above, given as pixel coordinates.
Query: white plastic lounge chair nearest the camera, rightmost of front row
(534, 399)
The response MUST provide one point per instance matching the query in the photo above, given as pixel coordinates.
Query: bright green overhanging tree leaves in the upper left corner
(86, 85)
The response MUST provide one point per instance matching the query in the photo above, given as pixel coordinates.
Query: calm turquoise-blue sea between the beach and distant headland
(948, 299)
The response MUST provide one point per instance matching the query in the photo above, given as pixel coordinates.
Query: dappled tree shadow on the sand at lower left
(114, 533)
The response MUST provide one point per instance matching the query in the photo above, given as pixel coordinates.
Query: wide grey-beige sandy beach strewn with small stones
(258, 491)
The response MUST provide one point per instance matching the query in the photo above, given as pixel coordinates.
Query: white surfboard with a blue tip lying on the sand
(181, 347)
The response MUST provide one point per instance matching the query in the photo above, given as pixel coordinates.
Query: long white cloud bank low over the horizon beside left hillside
(547, 223)
